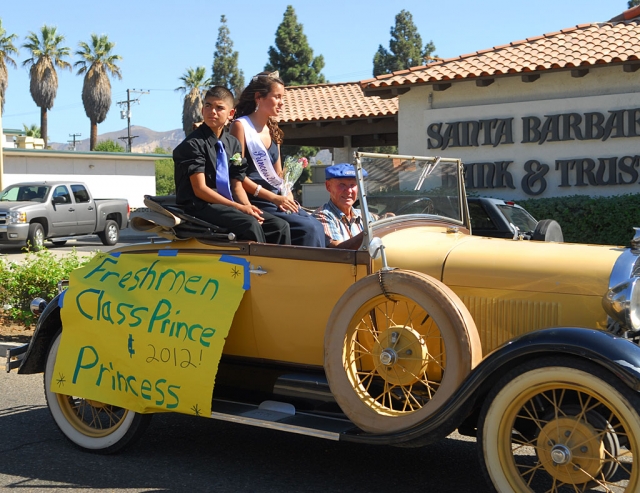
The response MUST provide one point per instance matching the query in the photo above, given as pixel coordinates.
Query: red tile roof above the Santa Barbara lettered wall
(584, 45)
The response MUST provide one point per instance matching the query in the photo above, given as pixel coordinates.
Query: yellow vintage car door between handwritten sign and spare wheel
(293, 291)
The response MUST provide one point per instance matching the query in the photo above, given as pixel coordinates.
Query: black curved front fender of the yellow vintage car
(619, 356)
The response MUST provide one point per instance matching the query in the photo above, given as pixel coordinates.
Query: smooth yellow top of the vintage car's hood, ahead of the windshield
(478, 262)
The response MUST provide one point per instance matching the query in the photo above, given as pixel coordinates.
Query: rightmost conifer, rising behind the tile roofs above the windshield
(405, 47)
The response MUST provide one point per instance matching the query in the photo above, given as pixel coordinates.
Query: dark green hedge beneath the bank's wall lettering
(596, 220)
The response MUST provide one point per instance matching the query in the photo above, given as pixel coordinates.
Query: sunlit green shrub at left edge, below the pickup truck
(36, 276)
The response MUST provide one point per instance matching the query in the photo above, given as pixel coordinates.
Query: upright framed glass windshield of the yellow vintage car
(399, 187)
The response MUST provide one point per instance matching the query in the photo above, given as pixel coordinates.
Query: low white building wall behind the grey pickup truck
(107, 175)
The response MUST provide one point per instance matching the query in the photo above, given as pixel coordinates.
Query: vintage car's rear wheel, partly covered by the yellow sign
(91, 425)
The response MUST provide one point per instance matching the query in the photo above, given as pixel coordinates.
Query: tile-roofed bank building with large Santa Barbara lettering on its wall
(553, 115)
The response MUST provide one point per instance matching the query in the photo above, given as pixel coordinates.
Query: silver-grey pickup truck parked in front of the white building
(35, 211)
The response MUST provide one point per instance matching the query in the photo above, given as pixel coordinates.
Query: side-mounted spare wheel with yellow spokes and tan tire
(397, 346)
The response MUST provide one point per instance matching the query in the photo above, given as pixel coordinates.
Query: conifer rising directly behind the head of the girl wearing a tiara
(292, 56)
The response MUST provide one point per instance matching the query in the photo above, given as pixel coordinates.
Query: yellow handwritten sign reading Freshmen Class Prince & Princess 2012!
(145, 332)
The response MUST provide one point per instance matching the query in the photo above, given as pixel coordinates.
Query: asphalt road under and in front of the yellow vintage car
(186, 454)
